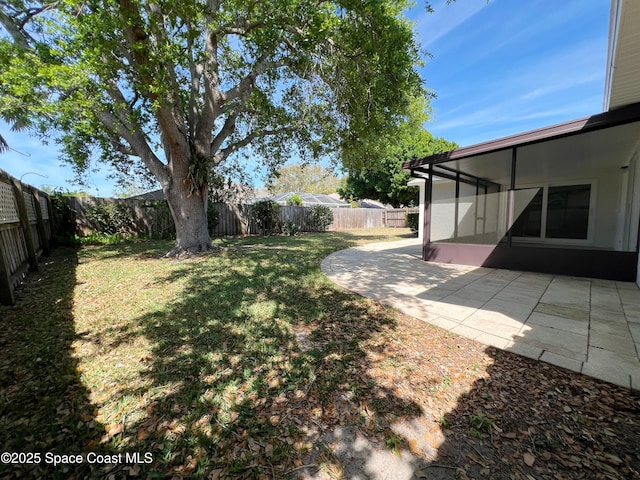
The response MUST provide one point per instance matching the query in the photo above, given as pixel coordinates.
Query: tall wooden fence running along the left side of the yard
(26, 226)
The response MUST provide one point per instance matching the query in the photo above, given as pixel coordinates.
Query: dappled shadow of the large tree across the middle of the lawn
(255, 365)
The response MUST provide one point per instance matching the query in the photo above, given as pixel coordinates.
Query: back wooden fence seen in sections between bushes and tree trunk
(154, 219)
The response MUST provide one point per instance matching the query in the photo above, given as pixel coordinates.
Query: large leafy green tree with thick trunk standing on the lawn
(173, 88)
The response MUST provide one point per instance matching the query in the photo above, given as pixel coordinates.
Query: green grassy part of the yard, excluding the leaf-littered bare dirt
(114, 349)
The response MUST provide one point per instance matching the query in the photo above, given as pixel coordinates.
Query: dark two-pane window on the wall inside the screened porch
(556, 212)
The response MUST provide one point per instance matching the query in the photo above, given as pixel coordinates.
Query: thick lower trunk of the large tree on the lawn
(189, 211)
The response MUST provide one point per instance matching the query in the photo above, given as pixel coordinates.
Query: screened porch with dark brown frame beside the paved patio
(563, 199)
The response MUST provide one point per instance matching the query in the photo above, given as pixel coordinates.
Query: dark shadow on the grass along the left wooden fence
(45, 407)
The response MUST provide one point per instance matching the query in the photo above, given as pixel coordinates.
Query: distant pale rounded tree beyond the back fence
(304, 178)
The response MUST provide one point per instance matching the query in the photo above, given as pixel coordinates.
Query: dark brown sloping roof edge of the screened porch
(607, 120)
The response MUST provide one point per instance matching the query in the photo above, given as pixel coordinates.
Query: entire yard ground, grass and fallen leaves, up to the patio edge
(250, 363)
